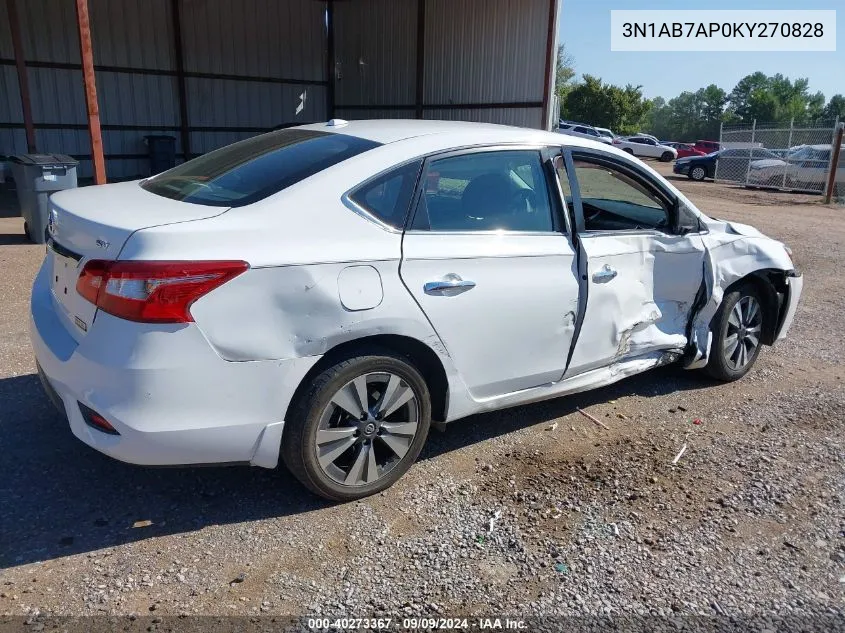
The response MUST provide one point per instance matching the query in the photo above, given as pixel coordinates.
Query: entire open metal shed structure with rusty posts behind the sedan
(210, 72)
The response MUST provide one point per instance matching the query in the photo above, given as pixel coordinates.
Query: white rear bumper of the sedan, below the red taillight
(171, 398)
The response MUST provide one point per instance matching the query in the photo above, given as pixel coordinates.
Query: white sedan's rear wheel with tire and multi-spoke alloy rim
(358, 427)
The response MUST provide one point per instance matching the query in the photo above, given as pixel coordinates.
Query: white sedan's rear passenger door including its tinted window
(488, 258)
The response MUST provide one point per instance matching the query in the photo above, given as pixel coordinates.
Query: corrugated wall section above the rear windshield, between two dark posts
(279, 48)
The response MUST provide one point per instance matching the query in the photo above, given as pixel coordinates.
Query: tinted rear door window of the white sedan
(485, 191)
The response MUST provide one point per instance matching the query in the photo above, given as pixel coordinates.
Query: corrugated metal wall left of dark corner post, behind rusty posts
(247, 66)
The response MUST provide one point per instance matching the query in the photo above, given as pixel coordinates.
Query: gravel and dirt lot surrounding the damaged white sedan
(590, 520)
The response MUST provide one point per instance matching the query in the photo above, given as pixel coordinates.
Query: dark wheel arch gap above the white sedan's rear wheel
(424, 358)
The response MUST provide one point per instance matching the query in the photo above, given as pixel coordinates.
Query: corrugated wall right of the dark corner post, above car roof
(482, 60)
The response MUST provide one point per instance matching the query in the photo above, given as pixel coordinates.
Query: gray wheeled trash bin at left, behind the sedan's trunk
(36, 177)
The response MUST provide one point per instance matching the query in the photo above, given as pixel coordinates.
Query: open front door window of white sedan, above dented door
(615, 201)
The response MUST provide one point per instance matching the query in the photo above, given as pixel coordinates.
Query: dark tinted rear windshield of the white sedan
(253, 169)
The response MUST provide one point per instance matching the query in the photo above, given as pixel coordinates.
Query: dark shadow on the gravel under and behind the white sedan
(61, 497)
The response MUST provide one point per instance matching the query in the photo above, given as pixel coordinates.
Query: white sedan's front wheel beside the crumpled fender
(737, 334)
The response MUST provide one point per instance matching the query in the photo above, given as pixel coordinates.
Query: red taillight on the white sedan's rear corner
(153, 292)
